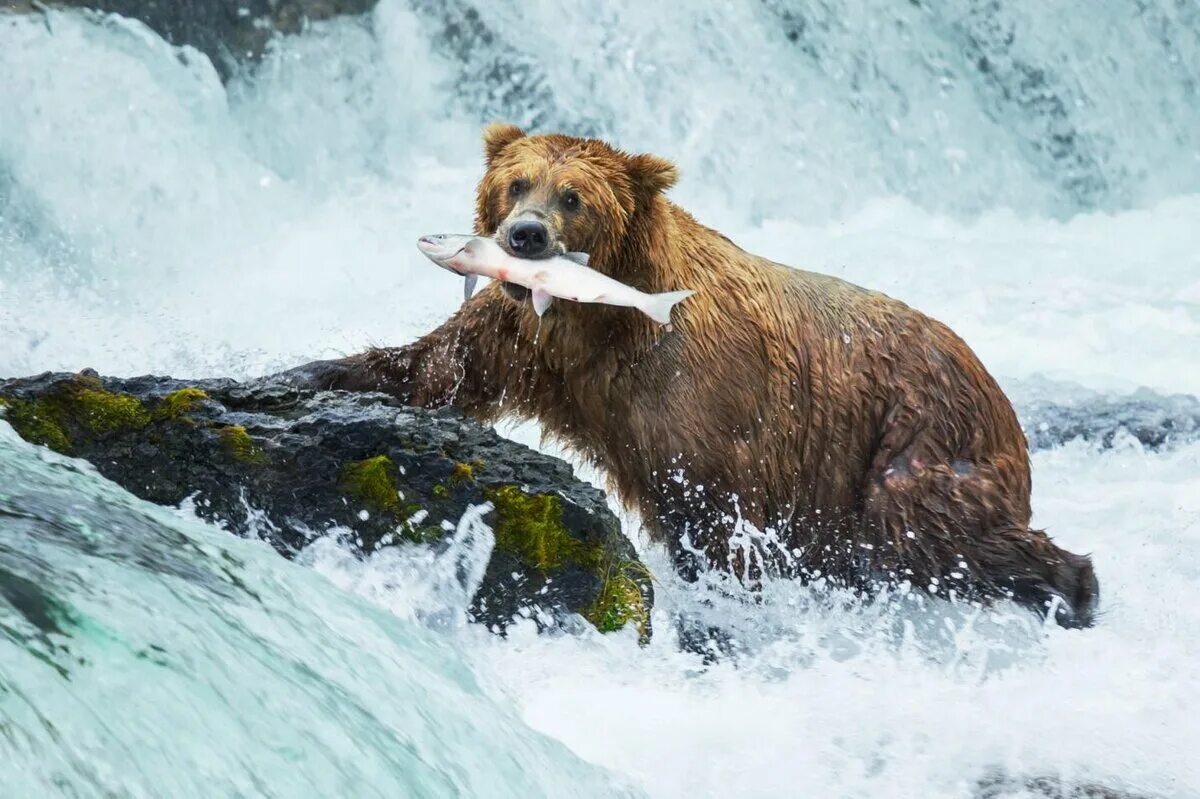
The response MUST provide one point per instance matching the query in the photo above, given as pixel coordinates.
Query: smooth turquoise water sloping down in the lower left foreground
(145, 654)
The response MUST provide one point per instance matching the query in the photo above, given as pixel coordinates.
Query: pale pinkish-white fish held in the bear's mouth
(567, 277)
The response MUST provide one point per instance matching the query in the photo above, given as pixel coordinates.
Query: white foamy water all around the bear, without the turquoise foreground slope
(152, 221)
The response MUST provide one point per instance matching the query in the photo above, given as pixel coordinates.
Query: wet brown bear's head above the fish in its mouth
(548, 195)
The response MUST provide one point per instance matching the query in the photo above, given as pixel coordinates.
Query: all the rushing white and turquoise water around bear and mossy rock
(1027, 172)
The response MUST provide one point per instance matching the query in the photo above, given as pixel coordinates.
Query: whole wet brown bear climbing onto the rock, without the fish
(838, 431)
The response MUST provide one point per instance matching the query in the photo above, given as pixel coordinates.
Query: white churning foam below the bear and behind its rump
(853, 701)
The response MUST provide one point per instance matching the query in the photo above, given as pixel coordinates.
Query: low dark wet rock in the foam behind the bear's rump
(1155, 420)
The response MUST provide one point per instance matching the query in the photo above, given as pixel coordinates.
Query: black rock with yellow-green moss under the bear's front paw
(290, 466)
